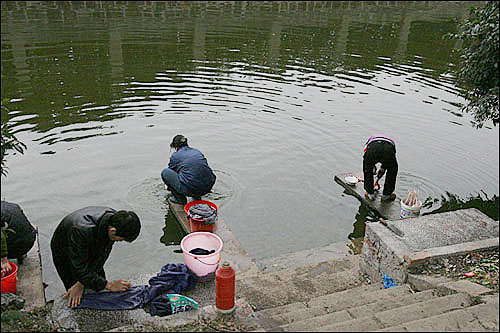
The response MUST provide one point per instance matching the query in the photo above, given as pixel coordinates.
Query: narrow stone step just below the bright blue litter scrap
(365, 310)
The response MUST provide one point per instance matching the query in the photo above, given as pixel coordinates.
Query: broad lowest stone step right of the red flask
(301, 284)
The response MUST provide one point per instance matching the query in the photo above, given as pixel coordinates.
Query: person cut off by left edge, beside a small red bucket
(18, 235)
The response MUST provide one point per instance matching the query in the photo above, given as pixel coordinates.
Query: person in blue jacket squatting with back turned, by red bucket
(188, 173)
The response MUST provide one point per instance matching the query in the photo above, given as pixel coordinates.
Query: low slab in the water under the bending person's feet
(389, 210)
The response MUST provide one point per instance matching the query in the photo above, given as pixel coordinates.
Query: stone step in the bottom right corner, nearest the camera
(477, 318)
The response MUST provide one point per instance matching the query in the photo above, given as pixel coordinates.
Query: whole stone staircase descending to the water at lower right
(329, 296)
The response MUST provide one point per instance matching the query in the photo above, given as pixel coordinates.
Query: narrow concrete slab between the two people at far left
(29, 279)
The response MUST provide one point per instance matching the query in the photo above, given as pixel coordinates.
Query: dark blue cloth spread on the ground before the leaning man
(172, 279)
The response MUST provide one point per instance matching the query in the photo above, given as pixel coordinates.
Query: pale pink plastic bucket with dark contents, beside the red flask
(203, 266)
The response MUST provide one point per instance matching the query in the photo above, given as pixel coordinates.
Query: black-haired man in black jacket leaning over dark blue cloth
(82, 243)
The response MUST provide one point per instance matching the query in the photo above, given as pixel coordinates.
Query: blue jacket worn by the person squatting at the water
(194, 173)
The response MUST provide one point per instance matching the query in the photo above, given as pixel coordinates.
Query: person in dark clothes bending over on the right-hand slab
(380, 149)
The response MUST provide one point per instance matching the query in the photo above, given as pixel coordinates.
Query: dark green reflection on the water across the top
(65, 72)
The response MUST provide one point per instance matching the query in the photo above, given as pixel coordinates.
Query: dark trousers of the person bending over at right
(385, 153)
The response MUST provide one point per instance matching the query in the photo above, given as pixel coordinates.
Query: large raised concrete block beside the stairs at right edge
(424, 238)
